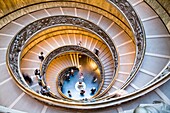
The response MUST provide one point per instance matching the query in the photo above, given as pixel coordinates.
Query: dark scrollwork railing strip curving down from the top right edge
(138, 30)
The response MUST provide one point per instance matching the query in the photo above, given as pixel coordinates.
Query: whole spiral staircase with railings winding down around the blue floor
(134, 52)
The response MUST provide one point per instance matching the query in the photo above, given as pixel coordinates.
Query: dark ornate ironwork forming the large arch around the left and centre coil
(26, 33)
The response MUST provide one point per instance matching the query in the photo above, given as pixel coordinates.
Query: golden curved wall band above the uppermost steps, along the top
(65, 4)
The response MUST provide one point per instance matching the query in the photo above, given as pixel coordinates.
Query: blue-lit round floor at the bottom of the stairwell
(72, 85)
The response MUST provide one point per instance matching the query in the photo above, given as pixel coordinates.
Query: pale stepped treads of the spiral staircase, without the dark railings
(156, 58)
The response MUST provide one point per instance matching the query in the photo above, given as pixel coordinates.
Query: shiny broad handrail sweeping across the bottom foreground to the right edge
(105, 103)
